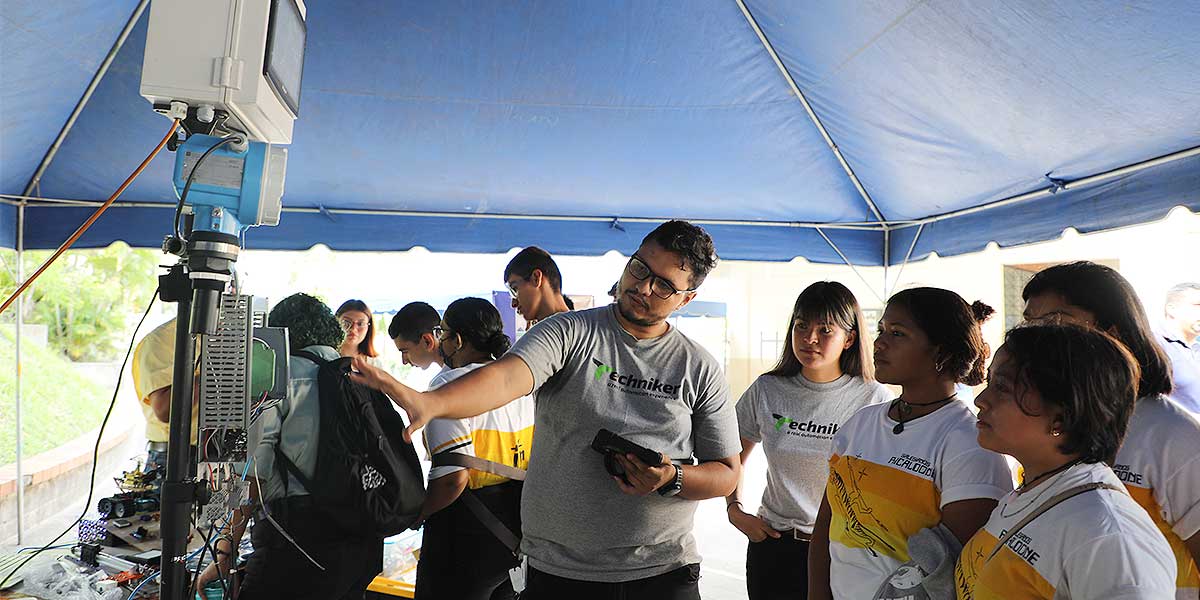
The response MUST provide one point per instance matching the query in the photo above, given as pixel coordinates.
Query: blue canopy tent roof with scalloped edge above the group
(871, 133)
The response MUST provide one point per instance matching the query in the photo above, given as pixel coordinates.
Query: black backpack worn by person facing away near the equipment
(368, 482)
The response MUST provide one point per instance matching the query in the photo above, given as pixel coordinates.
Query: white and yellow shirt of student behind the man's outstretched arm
(503, 436)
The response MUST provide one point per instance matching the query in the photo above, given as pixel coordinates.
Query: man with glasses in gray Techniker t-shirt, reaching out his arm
(625, 369)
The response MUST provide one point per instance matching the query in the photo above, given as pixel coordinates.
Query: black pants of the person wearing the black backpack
(278, 569)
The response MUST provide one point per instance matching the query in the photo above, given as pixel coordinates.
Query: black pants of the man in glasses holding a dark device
(682, 584)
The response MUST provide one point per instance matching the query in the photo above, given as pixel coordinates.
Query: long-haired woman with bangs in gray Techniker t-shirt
(824, 376)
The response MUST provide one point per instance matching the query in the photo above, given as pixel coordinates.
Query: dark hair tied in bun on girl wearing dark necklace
(953, 327)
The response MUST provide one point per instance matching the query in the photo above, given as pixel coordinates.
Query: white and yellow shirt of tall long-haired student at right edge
(1160, 464)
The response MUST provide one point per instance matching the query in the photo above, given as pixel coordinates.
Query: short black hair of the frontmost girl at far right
(1084, 373)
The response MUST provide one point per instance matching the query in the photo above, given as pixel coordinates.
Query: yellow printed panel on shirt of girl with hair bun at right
(877, 508)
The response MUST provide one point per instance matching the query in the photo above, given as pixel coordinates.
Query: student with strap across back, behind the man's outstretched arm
(460, 557)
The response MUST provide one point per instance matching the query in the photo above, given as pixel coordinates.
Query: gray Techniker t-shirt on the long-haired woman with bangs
(795, 421)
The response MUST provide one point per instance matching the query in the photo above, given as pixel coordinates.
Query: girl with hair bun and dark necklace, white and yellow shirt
(914, 464)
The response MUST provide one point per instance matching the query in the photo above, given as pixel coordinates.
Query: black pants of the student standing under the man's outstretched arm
(460, 559)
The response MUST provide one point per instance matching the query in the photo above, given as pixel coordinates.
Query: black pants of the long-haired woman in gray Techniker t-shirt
(778, 569)
